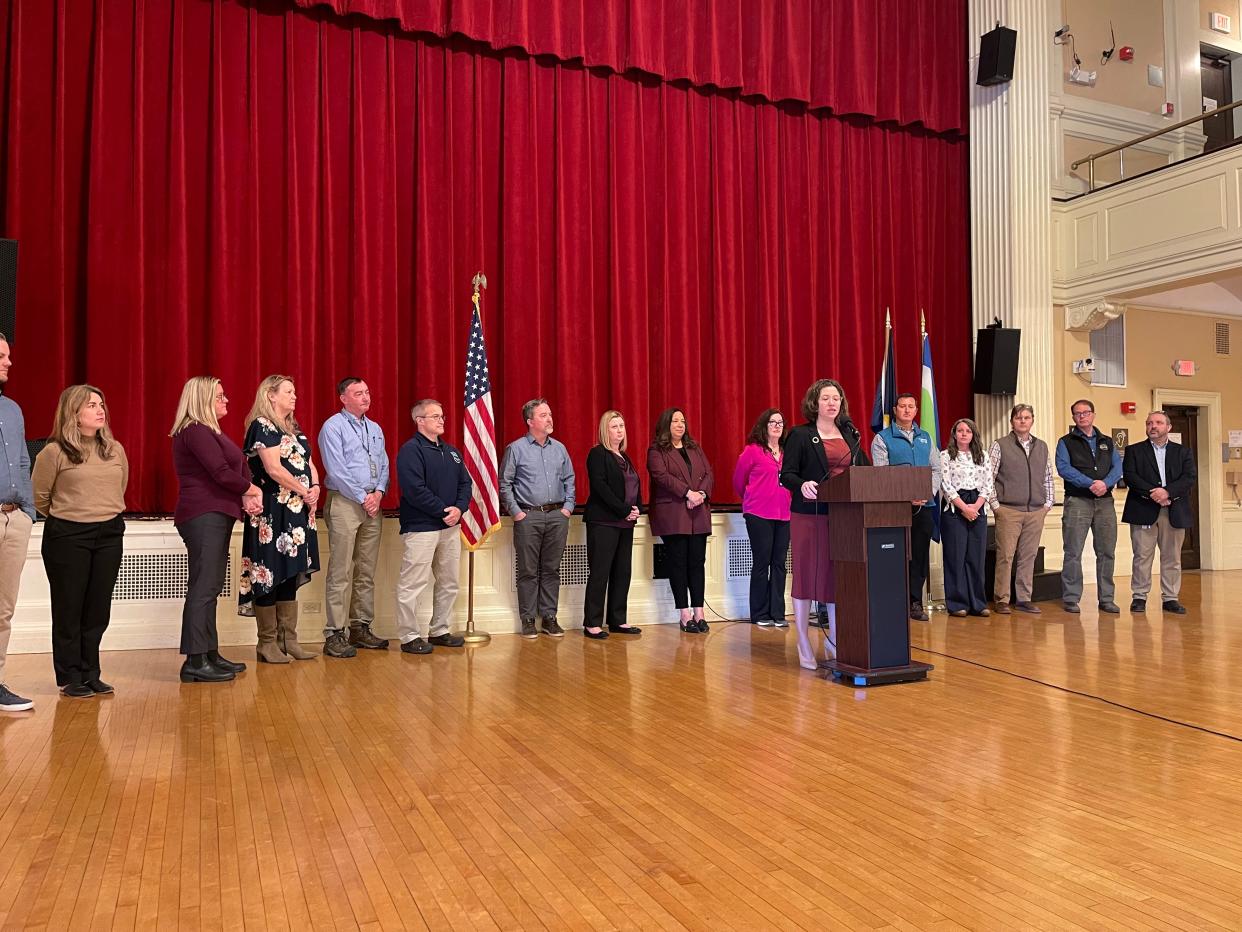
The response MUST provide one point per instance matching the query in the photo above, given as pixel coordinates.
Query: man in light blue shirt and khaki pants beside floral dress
(357, 477)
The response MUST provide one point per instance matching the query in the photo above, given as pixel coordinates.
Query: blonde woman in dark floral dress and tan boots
(280, 546)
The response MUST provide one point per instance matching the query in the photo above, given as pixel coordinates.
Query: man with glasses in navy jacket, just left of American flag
(435, 491)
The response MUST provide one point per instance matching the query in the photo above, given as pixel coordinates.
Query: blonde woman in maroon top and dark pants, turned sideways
(215, 489)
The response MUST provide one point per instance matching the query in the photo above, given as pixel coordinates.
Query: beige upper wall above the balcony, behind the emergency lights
(1138, 24)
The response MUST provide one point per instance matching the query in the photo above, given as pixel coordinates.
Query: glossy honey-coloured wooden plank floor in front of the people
(668, 782)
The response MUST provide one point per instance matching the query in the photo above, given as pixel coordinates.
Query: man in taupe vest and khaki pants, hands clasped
(1022, 499)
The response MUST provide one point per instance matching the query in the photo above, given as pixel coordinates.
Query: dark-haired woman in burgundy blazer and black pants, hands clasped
(680, 513)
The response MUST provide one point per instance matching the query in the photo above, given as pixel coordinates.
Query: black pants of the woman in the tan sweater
(81, 561)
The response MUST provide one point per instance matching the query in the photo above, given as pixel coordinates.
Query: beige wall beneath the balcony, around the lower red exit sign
(1153, 341)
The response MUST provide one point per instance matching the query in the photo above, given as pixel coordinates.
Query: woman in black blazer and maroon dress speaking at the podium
(825, 447)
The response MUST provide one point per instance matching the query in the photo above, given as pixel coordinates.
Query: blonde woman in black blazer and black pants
(612, 514)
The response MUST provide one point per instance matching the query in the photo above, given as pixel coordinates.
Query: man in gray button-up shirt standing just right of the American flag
(537, 489)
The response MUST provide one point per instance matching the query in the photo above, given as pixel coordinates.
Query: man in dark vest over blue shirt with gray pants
(1091, 467)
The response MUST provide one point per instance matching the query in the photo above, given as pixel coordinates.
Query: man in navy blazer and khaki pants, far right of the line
(1161, 477)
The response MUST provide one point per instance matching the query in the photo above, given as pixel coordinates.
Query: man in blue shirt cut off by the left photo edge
(17, 518)
